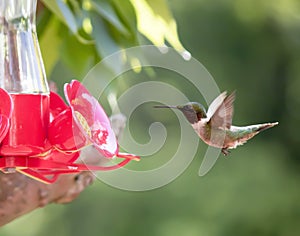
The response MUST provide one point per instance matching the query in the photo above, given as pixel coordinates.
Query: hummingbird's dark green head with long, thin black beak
(193, 111)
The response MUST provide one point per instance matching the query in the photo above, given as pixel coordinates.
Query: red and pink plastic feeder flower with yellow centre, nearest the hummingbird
(84, 123)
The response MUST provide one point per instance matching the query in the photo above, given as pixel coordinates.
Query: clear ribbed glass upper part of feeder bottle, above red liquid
(21, 65)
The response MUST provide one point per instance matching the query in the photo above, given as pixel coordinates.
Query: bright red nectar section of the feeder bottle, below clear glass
(28, 125)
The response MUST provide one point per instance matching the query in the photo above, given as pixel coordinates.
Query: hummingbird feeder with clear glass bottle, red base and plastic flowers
(41, 136)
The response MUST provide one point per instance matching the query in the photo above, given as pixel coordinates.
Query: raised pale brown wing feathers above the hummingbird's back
(220, 111)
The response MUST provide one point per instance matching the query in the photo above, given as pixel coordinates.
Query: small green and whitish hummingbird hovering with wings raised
(214, 126)
